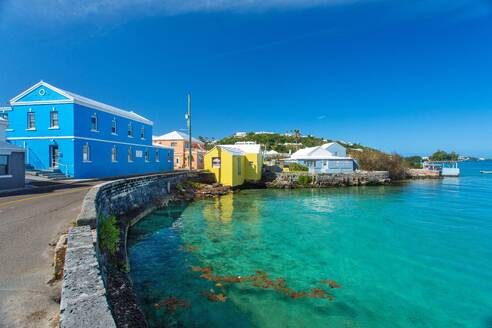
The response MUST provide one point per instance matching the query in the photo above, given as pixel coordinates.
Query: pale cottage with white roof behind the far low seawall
(328, 158)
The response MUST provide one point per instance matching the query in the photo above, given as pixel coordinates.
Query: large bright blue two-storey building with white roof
(81, 137)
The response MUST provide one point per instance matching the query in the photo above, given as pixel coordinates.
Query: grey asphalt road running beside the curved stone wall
(28, 223)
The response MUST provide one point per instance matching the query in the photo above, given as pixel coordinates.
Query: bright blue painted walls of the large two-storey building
(75, 131)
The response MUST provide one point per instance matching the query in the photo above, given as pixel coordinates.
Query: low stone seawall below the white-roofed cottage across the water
(309, 180)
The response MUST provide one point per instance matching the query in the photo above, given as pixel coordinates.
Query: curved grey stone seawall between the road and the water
(127, 200)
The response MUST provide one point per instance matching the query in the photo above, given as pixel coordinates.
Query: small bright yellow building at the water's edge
(235, 164)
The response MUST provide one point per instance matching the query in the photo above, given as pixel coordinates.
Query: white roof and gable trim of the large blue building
(77, 99)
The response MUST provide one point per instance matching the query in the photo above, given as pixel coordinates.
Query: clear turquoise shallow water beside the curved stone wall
(415, 255)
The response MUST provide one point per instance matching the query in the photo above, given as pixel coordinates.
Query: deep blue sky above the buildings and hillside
(404, 76)
